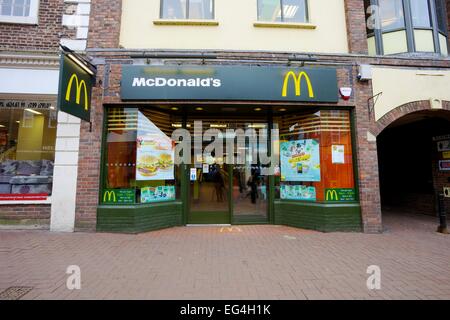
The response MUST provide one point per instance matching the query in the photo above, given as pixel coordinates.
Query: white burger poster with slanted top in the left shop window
(155, 152)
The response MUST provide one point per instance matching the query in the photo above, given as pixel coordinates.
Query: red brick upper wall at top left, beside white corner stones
(42, 37)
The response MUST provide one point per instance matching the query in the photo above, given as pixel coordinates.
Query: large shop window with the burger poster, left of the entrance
(139, 158)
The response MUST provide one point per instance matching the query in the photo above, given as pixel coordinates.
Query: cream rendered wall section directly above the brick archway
(400, 86)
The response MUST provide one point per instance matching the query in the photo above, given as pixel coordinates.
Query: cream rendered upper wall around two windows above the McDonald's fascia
(235, 30)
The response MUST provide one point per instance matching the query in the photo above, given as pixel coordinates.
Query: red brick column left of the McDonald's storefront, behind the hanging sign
(104, 32)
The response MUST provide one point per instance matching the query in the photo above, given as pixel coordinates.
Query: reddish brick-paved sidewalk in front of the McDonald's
(249, 262)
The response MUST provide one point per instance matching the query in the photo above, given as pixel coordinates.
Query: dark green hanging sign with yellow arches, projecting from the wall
(75, 89)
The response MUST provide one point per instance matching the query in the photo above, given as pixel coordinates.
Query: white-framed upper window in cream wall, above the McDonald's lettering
(187, 9)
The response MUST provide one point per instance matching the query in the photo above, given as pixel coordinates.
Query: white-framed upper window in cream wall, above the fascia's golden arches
(295, 11)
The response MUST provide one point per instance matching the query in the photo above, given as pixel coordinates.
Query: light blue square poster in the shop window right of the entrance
(300, 160)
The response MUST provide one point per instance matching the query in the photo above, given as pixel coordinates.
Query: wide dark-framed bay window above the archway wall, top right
(403, 26)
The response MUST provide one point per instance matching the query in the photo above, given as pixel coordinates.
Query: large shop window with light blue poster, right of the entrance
(316, 157)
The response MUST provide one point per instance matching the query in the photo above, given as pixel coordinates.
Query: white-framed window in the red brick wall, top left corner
(19, 11)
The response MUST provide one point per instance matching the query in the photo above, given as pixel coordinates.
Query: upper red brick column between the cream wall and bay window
(356, 26)
